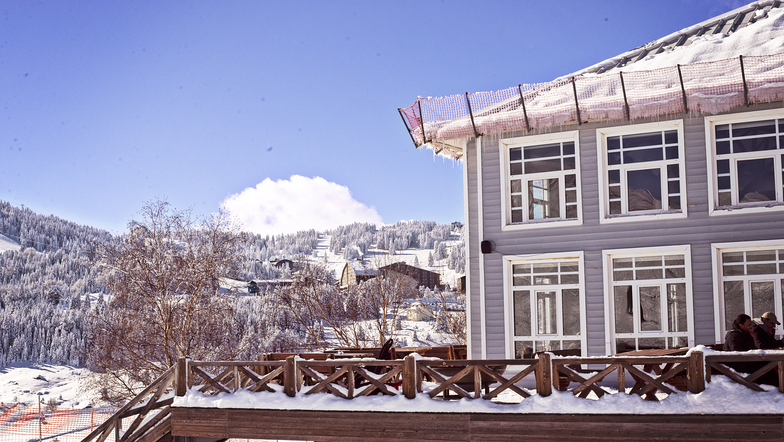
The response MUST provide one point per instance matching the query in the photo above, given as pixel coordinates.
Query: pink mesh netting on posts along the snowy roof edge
(705, 88)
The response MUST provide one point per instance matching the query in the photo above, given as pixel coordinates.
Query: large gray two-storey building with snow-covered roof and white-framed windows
(638, 203)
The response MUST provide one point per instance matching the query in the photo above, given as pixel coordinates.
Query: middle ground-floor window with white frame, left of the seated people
(649, 299)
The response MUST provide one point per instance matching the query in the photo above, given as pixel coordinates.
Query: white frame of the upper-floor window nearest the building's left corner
(504, 146)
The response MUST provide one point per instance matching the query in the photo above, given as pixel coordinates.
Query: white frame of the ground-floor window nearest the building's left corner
(510, 260)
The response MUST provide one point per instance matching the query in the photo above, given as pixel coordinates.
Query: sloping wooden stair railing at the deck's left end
(150, 408)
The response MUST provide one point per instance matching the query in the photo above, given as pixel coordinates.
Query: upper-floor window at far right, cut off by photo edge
(745, 154)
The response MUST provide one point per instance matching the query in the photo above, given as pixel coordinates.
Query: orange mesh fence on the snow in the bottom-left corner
(23, 423)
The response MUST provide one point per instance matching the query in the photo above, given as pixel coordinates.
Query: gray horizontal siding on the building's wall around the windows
(698, 230)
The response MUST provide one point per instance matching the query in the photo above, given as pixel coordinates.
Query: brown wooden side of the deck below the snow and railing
(410, 427)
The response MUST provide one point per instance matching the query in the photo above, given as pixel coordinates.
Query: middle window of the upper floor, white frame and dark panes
(642, 171)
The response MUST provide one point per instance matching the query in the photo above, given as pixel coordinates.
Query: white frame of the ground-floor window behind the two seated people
(718, 279)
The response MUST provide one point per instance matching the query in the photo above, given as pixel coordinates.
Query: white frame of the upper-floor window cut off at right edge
(713, 185)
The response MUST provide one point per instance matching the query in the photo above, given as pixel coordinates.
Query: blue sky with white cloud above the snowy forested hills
(282, 113)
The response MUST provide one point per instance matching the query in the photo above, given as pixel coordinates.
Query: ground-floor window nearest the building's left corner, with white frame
(545, 303)
